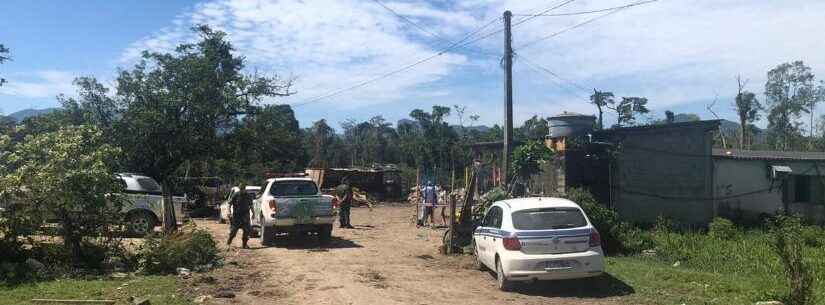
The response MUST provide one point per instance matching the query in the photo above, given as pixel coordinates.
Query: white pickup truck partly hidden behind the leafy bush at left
(143, 204)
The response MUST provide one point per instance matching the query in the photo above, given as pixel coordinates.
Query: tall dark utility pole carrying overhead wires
(508, 98)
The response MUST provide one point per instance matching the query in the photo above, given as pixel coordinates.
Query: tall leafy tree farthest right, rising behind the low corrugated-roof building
(789, 92)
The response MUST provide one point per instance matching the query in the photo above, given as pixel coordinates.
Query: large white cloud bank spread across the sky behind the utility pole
(674, 52)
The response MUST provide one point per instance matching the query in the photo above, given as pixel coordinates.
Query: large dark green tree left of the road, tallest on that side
(175, 105)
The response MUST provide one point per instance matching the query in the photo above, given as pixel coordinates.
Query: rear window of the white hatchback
(548, 218)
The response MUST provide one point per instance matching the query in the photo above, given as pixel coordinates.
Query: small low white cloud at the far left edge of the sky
(41, 84)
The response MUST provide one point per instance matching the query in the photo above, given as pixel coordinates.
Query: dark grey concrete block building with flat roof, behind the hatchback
(662, 170)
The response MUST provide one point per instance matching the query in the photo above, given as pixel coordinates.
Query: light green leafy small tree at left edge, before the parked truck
(67, 175)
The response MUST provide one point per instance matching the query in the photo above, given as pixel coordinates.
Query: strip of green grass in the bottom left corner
(159, 289)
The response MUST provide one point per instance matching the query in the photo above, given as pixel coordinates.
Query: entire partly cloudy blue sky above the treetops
(680, 54)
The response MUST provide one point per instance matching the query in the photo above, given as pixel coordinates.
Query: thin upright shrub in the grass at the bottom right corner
(788, 243)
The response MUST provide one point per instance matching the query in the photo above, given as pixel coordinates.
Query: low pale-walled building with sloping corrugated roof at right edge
(749, 185)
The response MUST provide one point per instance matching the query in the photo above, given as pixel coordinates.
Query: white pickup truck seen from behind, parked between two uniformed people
(295, 206)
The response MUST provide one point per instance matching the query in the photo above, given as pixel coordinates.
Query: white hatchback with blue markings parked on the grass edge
(538, 238)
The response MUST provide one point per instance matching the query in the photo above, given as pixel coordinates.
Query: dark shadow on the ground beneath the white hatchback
(602, 286)
